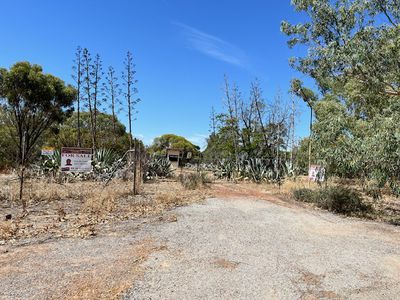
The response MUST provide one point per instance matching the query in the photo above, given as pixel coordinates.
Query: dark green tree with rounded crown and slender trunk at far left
(32, 102)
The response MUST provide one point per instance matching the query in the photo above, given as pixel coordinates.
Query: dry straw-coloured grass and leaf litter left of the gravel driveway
(75, 209)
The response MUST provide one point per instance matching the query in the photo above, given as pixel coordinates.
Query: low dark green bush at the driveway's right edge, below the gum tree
(337, 199)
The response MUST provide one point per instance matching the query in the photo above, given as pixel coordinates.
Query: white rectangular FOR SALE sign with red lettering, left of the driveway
(76, 159)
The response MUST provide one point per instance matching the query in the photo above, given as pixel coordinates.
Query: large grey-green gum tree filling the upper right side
(353, 54)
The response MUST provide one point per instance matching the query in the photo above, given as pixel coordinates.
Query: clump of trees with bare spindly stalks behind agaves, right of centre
(251, 128)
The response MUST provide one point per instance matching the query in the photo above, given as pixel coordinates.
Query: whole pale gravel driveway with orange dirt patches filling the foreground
(220, 249)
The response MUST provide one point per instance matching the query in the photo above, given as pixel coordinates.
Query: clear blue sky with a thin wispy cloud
(182, 49)
